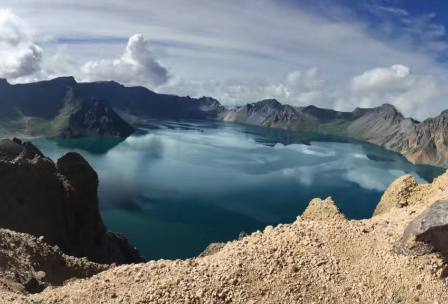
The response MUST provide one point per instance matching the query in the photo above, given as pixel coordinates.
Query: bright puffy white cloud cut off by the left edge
(19, 55)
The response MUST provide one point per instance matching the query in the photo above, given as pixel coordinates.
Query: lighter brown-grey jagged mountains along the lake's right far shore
(420, 142)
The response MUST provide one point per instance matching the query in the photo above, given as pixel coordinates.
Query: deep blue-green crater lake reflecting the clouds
(173, 188)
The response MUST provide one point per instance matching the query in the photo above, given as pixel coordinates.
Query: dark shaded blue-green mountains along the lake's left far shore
(64, 108)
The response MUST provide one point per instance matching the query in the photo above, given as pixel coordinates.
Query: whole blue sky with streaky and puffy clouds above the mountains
(336, 54)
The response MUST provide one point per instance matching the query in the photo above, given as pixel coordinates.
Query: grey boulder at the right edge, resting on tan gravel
(427, 233)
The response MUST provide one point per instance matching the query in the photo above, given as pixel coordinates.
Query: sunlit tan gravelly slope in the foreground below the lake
(397, 256)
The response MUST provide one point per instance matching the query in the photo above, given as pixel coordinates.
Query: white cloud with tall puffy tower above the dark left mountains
(137, 66)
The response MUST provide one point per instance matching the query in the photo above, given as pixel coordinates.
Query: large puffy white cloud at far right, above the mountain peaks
(409, 92)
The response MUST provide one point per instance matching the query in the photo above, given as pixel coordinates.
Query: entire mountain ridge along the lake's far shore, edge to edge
(109, 108)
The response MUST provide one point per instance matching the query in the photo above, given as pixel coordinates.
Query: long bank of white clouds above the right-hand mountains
(416, 95)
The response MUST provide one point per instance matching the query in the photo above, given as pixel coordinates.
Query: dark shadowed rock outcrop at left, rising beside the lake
(57, 201)
